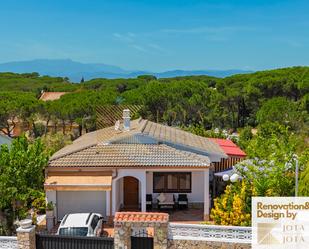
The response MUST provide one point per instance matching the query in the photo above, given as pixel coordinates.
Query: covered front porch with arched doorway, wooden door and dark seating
(140, 190)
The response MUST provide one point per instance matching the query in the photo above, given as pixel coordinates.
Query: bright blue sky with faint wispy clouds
(158, 35)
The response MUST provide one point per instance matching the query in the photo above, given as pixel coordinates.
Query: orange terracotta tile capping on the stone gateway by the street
(141, 217)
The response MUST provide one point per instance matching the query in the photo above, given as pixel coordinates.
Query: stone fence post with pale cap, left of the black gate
(26, 235)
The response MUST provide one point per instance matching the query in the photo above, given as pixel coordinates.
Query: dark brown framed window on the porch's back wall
(172, 182)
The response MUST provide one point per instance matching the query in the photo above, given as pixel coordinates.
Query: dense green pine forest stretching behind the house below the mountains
(233, 102)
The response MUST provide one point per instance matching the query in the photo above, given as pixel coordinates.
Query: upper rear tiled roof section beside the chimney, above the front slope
(143, 132)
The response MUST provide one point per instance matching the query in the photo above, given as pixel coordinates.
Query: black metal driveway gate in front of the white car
(44, 241)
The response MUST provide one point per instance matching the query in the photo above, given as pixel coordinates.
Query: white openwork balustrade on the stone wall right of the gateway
(232, 234)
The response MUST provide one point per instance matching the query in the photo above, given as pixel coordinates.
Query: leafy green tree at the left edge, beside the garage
(21, 176)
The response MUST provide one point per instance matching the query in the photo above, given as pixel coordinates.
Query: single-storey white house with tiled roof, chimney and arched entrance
(115, 168)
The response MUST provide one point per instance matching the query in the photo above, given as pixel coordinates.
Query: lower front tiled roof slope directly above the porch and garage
(130, 155)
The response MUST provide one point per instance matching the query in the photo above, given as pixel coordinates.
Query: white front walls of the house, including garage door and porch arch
(82, 201)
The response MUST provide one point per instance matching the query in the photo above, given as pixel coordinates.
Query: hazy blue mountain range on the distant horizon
(76, 70)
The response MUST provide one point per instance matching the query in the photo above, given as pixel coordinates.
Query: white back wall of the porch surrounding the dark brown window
(197, 194)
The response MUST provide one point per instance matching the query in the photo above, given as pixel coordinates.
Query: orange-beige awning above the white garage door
(78, 183)
